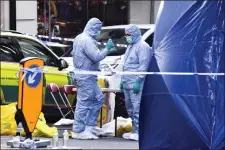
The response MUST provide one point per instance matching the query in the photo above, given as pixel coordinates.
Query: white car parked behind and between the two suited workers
(114, 60)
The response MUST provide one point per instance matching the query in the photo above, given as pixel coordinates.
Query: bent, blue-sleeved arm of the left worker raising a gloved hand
(93, 52)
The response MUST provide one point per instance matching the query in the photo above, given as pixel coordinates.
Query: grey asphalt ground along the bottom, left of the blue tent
(101, 143)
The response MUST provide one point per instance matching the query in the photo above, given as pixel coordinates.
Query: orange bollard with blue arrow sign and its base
(30, 98)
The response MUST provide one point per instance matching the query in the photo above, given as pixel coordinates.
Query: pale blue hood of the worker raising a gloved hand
(93, 27)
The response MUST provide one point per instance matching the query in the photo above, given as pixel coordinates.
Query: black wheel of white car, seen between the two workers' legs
(120, 108)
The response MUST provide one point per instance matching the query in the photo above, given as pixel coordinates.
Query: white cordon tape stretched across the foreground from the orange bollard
(41, 70)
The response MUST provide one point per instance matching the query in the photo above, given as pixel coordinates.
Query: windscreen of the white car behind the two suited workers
(117, 35)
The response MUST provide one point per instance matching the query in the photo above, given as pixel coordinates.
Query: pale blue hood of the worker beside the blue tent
(135, 33)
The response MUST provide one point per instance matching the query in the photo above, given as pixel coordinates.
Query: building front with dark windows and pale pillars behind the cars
(68, 18)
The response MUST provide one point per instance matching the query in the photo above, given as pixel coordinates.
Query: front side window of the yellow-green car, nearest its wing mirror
(31, 48)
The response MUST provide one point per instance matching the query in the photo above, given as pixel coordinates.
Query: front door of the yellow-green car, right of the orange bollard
(33, 48)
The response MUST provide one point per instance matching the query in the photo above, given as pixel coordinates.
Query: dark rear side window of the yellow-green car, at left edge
(8, 50)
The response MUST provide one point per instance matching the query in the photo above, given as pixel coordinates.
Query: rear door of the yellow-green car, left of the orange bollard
(9, 57)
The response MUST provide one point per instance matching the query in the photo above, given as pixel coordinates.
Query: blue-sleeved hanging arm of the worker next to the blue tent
(144, 56)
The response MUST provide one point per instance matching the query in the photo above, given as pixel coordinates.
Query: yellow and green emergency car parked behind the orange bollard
(15, 46)
